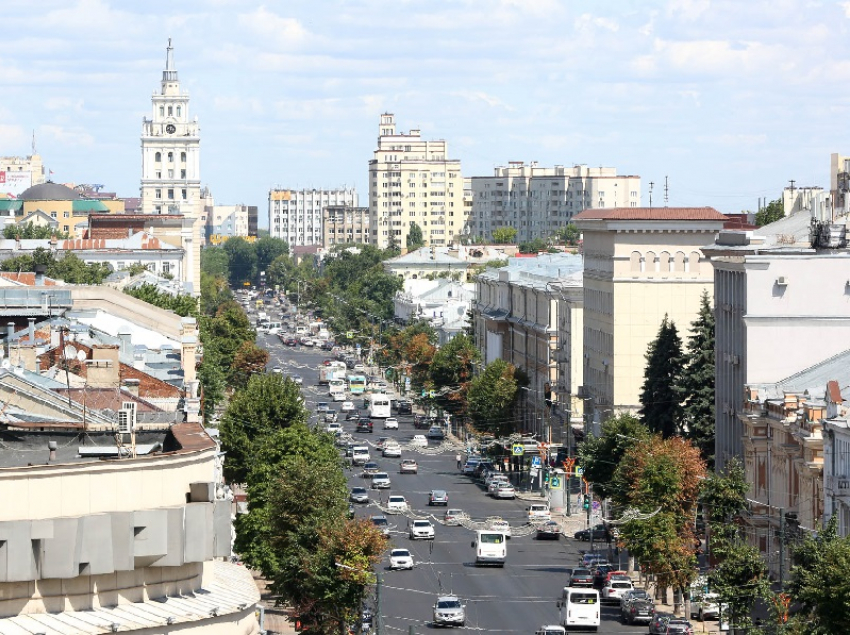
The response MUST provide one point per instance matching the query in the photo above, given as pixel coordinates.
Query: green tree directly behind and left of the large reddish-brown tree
(600, 456)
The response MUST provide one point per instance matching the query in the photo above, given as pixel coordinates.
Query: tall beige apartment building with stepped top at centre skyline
(413, 181)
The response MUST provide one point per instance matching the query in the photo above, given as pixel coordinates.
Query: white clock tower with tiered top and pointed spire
(171, 165)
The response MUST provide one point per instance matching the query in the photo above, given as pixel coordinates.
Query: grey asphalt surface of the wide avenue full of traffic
(518, 598)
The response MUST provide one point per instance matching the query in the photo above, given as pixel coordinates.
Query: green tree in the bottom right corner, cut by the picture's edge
(819, 581)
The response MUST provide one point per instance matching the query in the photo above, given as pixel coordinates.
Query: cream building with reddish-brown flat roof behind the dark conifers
(640, 264)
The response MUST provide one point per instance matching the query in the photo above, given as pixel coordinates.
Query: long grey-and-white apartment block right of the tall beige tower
(538, 201)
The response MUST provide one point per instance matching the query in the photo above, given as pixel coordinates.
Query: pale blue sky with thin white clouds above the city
(725, 100)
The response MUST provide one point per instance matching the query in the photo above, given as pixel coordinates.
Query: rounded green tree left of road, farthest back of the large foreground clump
(268, 403)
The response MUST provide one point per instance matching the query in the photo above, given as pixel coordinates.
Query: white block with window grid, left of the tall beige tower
(296, 215)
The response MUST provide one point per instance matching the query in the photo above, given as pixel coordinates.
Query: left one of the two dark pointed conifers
(661, 407)
